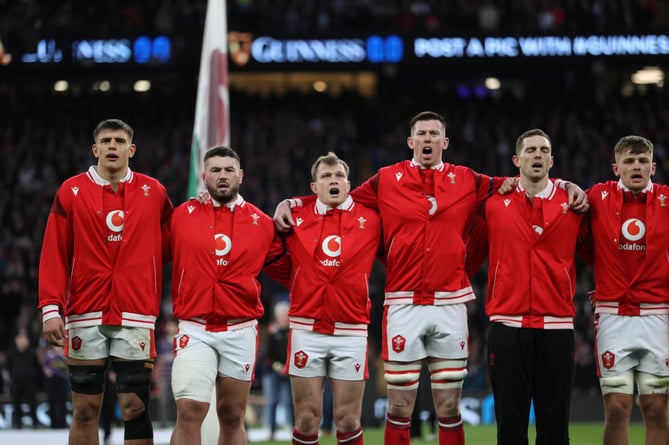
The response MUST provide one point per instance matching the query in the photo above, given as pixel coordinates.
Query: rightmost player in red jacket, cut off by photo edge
(630, 252)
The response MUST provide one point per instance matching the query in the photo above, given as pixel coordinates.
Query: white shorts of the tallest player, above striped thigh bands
(413, 332)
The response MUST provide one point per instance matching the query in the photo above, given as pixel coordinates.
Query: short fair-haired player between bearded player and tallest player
(331, 250)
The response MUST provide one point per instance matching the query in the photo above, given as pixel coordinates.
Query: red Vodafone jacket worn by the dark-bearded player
(214, 283)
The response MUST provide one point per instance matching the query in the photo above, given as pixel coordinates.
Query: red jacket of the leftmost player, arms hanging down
(76, 273)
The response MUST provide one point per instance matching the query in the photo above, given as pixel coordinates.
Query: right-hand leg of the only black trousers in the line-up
(553, 371)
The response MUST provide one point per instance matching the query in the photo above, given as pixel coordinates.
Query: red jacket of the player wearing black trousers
(531, 276)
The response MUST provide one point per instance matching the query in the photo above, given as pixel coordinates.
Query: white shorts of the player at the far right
(639, 343)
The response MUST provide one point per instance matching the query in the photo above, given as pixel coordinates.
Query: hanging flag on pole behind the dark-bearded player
(212, 123)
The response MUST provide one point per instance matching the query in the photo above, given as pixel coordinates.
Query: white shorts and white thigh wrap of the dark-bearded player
(201, 356)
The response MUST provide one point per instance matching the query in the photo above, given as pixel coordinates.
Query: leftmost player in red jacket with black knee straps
(101, 267)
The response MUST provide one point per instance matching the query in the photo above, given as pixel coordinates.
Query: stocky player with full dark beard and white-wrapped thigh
(218, 249)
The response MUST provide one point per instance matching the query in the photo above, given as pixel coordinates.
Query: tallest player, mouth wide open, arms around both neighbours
(426, 206)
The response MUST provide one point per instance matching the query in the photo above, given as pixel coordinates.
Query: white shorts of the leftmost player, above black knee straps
(96, 342)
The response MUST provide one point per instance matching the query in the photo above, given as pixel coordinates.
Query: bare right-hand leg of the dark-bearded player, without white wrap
(232, 398)
